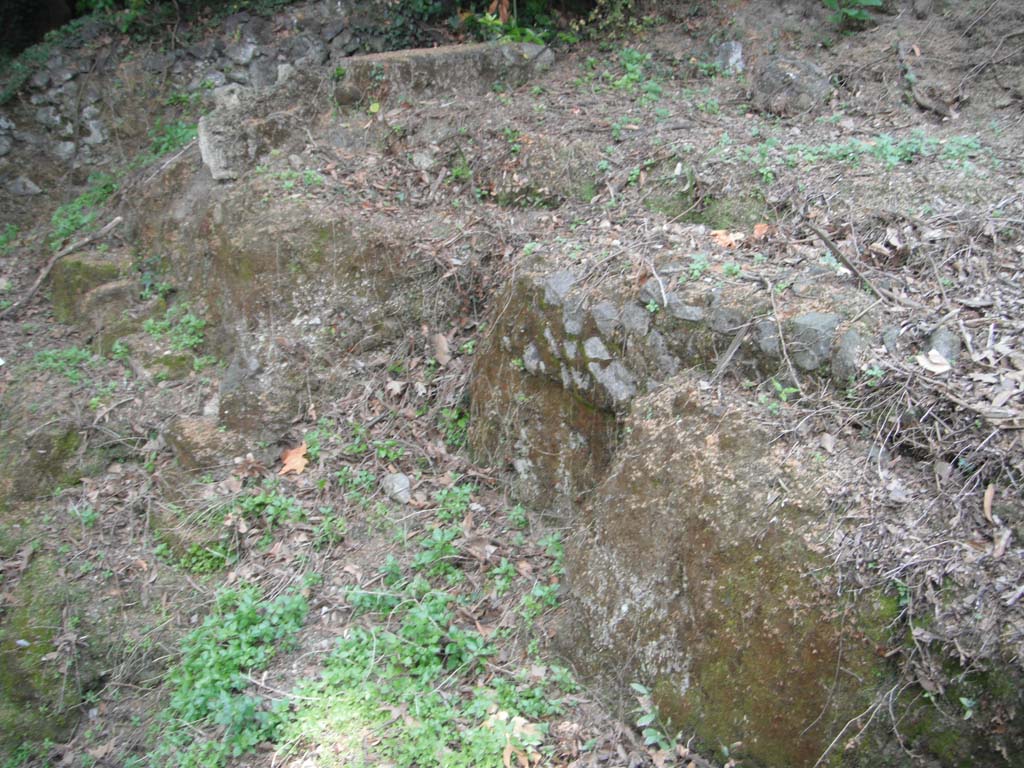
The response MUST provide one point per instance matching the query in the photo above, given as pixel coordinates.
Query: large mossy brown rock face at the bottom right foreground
(692, 575)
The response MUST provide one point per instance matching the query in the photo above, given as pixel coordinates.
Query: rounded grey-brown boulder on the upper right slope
(787, 86)
